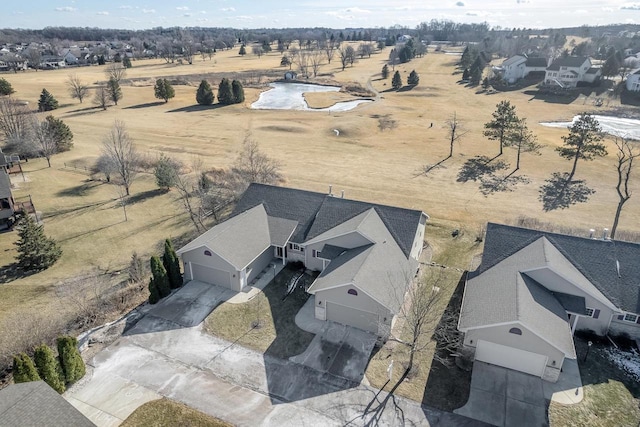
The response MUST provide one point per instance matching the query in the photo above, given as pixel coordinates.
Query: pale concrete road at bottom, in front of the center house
(159, 357)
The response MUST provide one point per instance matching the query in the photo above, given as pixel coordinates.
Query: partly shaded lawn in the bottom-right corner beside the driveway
(610, 396)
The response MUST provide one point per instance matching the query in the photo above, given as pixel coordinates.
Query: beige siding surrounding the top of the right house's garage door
(527, 341)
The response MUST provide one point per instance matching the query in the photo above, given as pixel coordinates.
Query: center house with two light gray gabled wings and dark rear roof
(367, 254)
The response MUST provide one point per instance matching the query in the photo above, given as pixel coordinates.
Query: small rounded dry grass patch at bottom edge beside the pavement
(167, 413)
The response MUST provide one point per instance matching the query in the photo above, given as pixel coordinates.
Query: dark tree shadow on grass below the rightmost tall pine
(560, 193)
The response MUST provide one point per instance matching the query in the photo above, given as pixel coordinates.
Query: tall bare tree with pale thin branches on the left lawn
(118, 147)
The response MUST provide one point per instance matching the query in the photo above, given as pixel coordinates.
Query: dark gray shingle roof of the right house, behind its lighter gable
(595, 259)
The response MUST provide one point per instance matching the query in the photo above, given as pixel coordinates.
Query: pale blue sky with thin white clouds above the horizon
(135, 14)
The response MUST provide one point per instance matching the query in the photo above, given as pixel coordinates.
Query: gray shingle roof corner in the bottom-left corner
(37, 404)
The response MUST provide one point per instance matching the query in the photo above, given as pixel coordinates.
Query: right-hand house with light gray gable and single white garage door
(534, 289)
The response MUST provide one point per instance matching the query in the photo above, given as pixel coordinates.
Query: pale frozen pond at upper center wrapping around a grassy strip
(289, 96)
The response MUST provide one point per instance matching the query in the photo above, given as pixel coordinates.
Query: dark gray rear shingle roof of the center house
(318, 212)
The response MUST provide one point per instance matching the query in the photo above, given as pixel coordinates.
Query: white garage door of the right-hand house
(512, 358)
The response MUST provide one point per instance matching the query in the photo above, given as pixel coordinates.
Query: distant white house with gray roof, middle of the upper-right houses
(568, 71)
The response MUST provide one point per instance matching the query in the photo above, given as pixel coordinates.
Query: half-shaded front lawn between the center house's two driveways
(266, 323)
